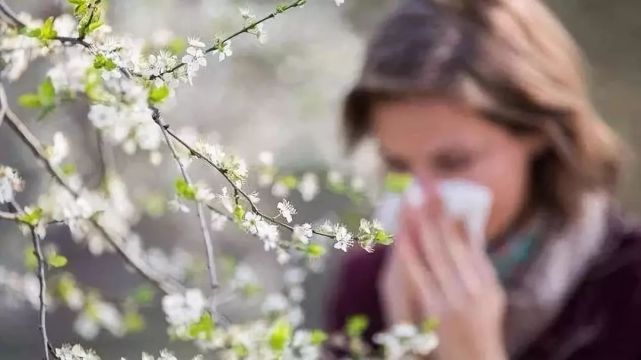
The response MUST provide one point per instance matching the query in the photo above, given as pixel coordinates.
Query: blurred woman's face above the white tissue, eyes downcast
(436, 140)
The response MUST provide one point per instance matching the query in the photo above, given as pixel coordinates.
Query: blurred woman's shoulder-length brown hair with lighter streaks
(514, 63)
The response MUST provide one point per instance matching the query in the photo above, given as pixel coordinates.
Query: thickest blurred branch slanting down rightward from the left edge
(38, 150)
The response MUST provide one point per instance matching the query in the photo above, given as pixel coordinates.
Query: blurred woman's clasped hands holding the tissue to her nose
(434, 272)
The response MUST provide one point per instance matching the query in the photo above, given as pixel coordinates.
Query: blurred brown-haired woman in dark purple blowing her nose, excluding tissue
(492, 91)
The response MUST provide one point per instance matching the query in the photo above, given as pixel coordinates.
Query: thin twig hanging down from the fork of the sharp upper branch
(204, 228)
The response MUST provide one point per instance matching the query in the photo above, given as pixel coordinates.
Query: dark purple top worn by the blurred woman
(601, 320)
